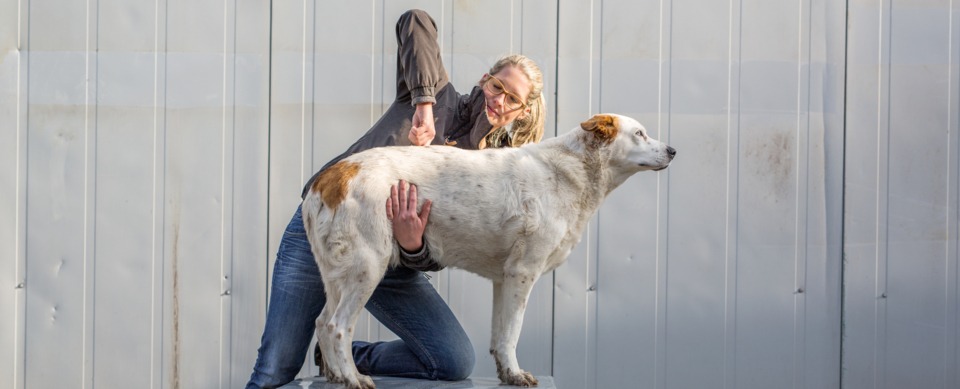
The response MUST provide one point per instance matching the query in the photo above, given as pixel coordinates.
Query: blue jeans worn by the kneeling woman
(432, 343)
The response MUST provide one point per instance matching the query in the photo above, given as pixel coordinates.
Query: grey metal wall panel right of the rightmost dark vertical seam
(901, 301)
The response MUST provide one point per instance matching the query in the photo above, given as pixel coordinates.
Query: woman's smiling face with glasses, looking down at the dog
(501, 94)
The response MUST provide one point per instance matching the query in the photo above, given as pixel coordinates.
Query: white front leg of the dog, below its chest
(511, 301)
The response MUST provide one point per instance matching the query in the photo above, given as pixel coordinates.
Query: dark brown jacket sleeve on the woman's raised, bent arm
(418, 57)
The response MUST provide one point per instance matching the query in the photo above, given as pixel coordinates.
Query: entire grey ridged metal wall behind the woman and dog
(153, 151)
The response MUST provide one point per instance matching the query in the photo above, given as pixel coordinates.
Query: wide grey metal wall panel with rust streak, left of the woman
(132, 136)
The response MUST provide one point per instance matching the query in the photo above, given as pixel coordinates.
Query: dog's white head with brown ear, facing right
(628, 143)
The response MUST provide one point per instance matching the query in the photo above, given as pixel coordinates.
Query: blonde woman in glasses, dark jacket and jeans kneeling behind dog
(505, 109)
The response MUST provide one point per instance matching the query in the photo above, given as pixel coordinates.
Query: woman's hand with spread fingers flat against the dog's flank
(408, 226)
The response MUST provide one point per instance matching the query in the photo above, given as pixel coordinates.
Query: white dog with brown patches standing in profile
(509, 215)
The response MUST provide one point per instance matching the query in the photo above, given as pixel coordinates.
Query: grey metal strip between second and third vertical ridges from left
(128, 235)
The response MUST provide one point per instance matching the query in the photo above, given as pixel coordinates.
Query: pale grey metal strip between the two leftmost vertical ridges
(60, 178)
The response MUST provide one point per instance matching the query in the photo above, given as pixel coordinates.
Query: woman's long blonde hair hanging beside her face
(527, 128)
